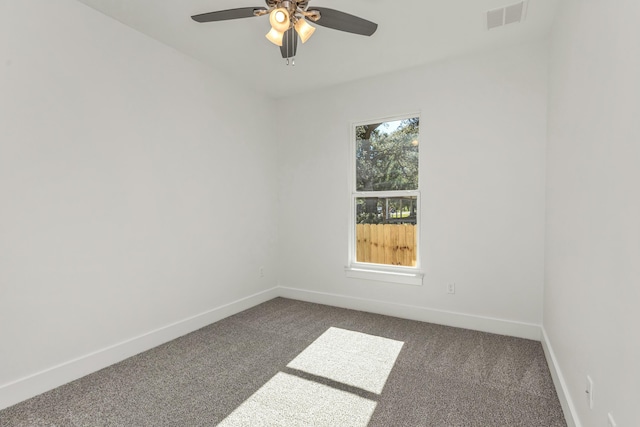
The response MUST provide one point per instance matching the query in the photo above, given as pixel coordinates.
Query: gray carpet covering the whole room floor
(442, 376)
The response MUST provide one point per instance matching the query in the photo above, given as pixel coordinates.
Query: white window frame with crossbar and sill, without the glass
(380, 272)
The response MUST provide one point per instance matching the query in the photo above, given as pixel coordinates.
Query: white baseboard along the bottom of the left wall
(40, 382)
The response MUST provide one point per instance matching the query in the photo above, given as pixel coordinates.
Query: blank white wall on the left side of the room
(129, 181)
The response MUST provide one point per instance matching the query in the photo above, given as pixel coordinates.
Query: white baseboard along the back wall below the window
(448, 318)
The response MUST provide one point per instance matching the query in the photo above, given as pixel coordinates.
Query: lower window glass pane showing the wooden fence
(386, 230)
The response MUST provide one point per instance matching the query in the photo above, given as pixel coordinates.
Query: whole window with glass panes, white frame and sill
(385, 201)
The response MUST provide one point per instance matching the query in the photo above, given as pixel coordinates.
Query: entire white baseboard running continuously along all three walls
(48, 379)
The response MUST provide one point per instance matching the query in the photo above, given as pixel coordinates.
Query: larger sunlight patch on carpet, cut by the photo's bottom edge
(287, 400)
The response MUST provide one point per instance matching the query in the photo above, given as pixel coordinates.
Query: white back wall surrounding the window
(483, 134)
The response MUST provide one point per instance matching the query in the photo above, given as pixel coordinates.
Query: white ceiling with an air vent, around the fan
(410, 33)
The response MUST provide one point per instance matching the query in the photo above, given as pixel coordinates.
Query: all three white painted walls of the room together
(120, 159)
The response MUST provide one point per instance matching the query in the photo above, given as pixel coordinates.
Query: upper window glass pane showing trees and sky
(387, 156)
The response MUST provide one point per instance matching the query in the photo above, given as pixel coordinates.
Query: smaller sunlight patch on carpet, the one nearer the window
(352, 358)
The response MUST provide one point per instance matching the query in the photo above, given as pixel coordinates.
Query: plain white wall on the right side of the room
(592, 285)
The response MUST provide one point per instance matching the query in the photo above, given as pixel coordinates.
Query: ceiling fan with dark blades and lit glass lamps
(288, 20)
